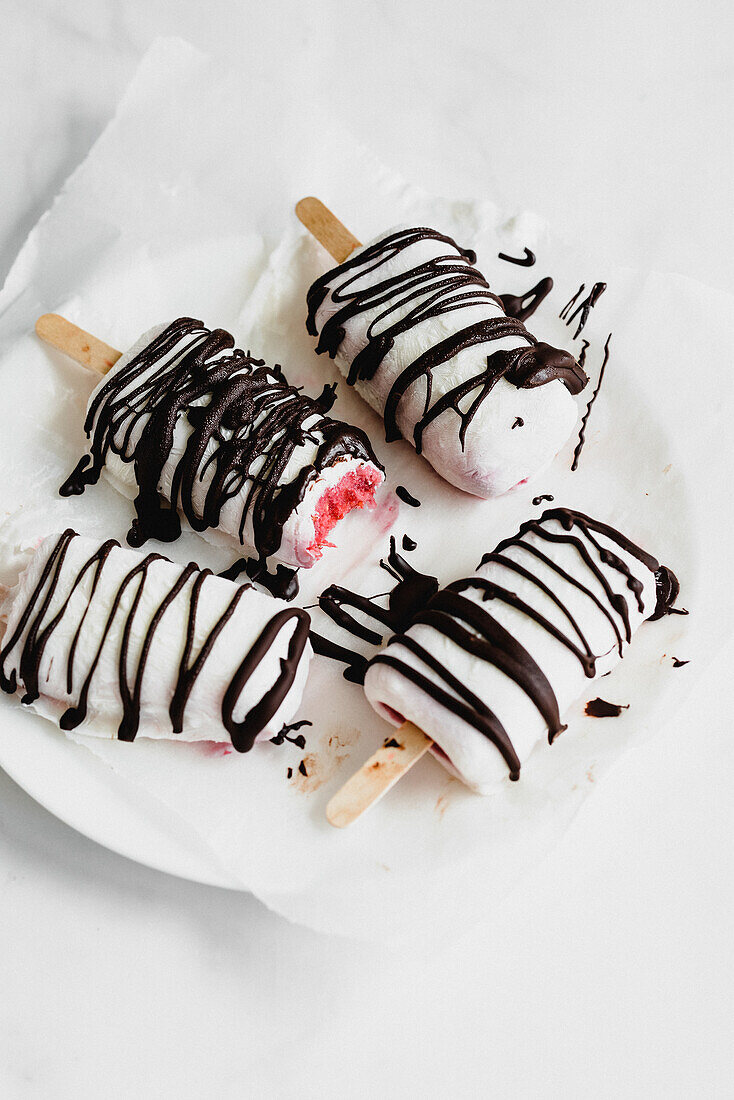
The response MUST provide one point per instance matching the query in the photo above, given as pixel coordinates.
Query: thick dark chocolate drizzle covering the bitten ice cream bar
(246, 424)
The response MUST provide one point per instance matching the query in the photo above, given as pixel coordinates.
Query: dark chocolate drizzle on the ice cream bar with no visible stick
(40, 629)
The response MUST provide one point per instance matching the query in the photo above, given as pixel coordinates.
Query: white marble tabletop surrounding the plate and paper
(609, 971)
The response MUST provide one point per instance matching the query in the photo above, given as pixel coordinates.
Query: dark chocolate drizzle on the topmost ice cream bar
(432, 289)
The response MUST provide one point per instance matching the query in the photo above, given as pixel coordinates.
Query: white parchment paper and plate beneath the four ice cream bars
(185, 206)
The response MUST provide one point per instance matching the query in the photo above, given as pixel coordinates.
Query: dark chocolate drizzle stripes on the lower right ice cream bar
(472, 625)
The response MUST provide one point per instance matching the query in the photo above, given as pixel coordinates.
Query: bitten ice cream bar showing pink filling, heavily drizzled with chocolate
(187, 420)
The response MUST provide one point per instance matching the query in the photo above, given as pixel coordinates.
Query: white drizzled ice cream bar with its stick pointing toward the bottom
(488, 667)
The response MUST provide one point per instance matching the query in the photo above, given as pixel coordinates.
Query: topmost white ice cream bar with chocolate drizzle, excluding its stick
(413, 325)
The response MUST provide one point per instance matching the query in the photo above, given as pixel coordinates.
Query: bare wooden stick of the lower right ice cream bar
(378, 775)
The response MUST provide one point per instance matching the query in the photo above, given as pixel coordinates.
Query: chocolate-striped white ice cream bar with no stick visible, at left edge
(118, 645)
